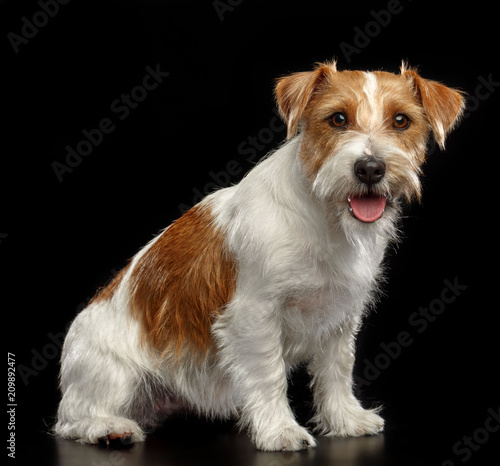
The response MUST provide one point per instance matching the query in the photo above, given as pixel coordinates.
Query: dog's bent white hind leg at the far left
(100, 375)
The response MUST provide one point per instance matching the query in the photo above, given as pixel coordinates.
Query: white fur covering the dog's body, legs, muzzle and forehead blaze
(307, 270)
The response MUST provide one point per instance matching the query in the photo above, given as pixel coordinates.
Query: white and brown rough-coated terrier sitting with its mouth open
(276, 271)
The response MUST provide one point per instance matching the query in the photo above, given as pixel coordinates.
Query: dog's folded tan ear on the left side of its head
(293, 93)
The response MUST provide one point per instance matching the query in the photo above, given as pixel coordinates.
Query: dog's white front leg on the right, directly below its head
(338, 412)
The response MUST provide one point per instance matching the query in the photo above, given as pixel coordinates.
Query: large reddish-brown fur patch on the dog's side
(182, 282)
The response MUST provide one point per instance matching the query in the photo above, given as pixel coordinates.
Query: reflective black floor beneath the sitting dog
(197, 442)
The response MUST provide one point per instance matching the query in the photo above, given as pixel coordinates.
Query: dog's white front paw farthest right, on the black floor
(353, 423)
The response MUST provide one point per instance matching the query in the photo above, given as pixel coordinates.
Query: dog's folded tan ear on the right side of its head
(442, 105)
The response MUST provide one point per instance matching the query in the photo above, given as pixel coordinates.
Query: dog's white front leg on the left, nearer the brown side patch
(249, 339)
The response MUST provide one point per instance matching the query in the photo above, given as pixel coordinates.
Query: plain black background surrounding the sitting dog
(60, 240)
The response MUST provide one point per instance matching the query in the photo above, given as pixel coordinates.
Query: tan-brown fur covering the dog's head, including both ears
(309, 99)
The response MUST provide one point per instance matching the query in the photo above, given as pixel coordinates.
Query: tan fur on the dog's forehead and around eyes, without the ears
(344, 92)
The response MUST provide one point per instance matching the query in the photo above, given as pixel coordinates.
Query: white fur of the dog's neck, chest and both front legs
(302, 282)
